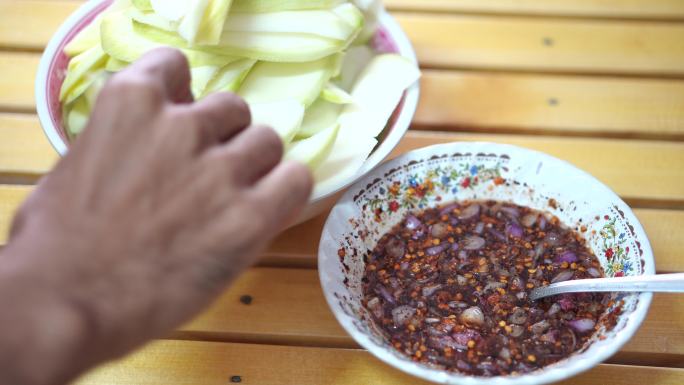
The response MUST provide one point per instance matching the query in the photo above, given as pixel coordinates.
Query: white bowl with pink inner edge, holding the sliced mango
(52, 69)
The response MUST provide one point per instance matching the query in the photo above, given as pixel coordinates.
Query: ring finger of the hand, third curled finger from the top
(250, 155)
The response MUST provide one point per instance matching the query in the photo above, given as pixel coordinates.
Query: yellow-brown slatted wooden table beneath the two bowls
(597, 83)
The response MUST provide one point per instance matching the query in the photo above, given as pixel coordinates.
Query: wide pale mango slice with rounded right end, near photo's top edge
(340, 23)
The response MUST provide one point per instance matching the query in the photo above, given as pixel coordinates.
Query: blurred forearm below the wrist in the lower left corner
(42, 336)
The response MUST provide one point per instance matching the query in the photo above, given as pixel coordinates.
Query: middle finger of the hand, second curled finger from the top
(221, 116)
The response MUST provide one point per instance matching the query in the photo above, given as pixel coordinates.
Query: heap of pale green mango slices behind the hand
(304, 67)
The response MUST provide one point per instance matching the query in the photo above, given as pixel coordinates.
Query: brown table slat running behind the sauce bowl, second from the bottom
(288, 308)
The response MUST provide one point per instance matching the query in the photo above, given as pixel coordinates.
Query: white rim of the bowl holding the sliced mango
(406, 109)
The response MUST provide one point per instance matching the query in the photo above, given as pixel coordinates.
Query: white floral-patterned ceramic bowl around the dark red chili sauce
(459, 171)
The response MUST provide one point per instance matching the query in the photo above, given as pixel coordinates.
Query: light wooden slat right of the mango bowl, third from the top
(566, 105)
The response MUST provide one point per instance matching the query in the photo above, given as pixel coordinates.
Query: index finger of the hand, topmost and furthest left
(165, 69)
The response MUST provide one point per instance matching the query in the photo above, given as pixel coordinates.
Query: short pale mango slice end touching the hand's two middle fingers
(285, 117)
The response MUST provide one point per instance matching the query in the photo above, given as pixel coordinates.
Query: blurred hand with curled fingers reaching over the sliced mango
(156, 207)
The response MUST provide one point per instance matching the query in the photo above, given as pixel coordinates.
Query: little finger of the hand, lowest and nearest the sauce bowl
(283, 193)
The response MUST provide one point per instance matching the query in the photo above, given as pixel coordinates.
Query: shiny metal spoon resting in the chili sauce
(666, 283)
